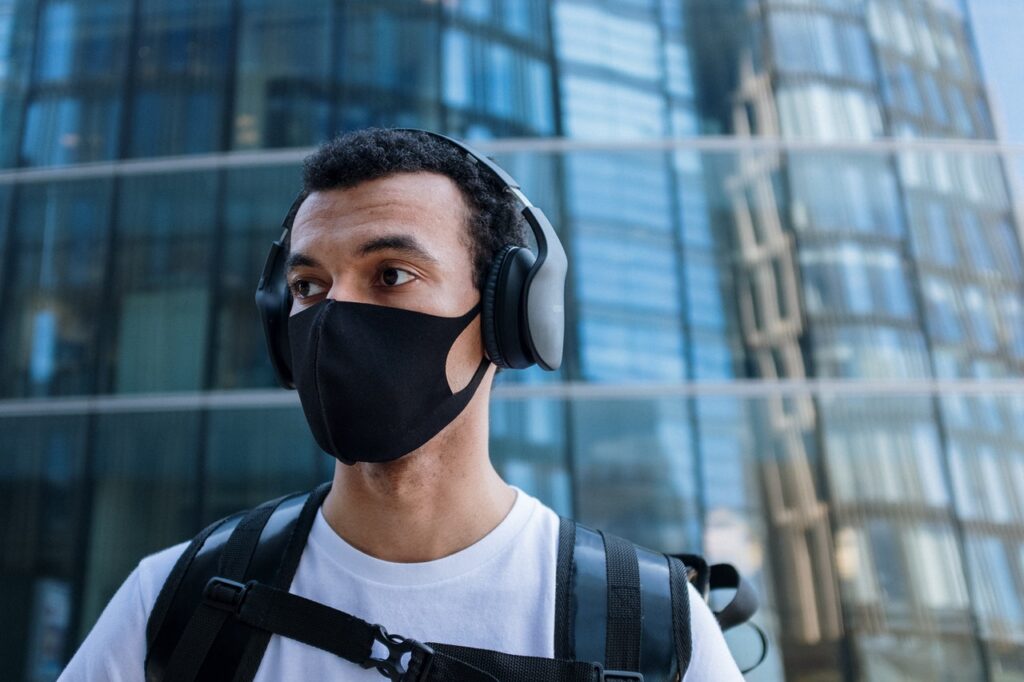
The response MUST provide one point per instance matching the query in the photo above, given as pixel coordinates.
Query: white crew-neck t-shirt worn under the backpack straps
(499, 594)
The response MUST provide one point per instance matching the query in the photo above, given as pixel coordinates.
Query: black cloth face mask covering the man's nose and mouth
(372, 378)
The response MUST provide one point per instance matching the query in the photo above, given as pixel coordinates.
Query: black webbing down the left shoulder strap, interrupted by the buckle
(207, 621)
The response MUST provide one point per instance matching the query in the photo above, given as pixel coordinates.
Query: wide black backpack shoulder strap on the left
(265, 544)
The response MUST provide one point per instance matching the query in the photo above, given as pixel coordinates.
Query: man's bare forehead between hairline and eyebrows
(429, 205)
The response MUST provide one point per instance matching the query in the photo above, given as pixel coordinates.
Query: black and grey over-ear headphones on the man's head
(523, 302)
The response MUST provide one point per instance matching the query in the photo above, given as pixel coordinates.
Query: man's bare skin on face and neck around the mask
(446, 495)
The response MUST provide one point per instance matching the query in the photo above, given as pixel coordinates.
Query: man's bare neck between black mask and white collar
(432, 503)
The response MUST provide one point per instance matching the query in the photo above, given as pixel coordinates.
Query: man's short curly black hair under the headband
(375, 153)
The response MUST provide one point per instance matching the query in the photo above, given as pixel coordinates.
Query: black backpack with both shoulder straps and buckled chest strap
(622, 612)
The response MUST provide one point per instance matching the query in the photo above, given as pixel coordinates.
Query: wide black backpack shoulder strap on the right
(616, 605)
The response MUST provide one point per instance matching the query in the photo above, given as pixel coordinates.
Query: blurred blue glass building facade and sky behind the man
(796, 322)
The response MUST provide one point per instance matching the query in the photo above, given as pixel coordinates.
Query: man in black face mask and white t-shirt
(389, 257)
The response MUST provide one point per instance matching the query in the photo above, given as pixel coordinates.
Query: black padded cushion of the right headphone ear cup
(502, 305)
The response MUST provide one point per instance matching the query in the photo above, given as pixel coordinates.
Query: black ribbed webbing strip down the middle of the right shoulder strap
(622, 649)
